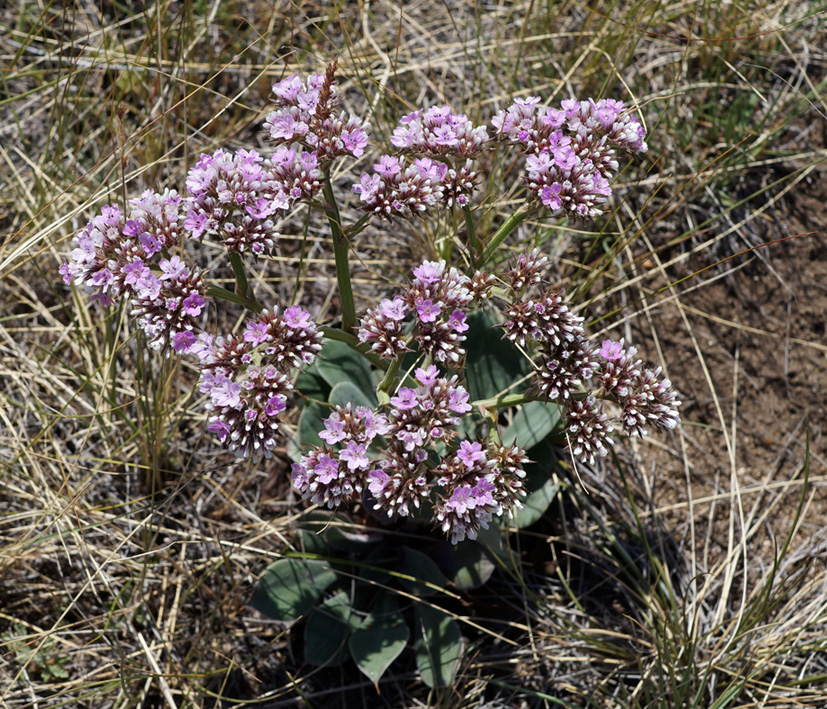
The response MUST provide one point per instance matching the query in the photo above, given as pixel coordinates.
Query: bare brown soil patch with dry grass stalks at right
(745, 345)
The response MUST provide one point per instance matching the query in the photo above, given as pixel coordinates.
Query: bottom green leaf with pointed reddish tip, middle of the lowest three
(380, 639)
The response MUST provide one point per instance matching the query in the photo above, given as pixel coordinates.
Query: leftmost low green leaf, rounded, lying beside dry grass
(290, 587)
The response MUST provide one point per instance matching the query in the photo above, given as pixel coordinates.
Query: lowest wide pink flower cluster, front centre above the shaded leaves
(469, 486)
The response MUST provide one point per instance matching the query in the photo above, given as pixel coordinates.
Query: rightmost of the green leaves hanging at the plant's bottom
(438, 645)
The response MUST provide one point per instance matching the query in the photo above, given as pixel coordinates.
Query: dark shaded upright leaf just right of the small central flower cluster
(493, 364)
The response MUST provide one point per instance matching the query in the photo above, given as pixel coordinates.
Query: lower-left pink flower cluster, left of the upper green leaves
(247, 377)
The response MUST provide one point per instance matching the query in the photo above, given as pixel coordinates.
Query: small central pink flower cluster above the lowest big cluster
(437, 300)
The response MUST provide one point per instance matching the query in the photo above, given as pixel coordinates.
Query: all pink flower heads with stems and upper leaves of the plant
(422, 433)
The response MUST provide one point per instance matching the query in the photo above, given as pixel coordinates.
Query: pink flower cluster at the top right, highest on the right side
(571, 151)
